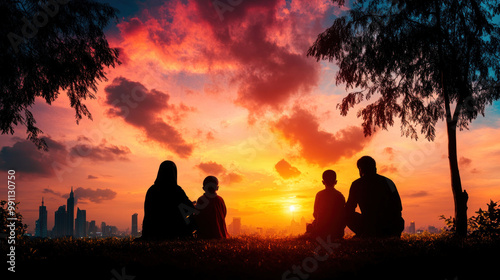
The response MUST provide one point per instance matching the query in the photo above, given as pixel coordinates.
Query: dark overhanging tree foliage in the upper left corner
(48, 47)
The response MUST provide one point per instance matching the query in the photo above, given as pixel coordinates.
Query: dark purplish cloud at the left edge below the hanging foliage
(25, 158)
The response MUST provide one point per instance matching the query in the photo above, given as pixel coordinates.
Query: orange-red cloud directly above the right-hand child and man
(318, 146)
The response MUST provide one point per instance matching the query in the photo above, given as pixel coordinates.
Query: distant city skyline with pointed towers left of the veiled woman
(66, 225)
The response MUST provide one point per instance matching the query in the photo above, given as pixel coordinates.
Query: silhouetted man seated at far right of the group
(378, 201)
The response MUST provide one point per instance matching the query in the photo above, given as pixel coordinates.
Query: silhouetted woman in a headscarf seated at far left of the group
(163, 219)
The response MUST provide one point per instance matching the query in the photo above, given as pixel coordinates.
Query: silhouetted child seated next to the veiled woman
(211, 215)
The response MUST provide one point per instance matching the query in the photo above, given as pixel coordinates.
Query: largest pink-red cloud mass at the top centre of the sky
(259, 45)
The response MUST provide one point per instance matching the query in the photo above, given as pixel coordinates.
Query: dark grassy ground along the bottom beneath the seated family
(412, 257)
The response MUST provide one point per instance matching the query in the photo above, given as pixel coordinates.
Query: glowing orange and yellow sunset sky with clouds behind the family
(228, 90)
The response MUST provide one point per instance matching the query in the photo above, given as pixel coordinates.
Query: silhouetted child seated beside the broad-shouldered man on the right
(328, 209)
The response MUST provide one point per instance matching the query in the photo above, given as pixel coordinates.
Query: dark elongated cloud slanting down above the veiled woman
(140, 107)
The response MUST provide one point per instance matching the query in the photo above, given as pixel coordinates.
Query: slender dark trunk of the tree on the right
(460, 197)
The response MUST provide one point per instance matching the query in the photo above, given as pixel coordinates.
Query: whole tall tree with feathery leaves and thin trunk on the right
(425, 60)
